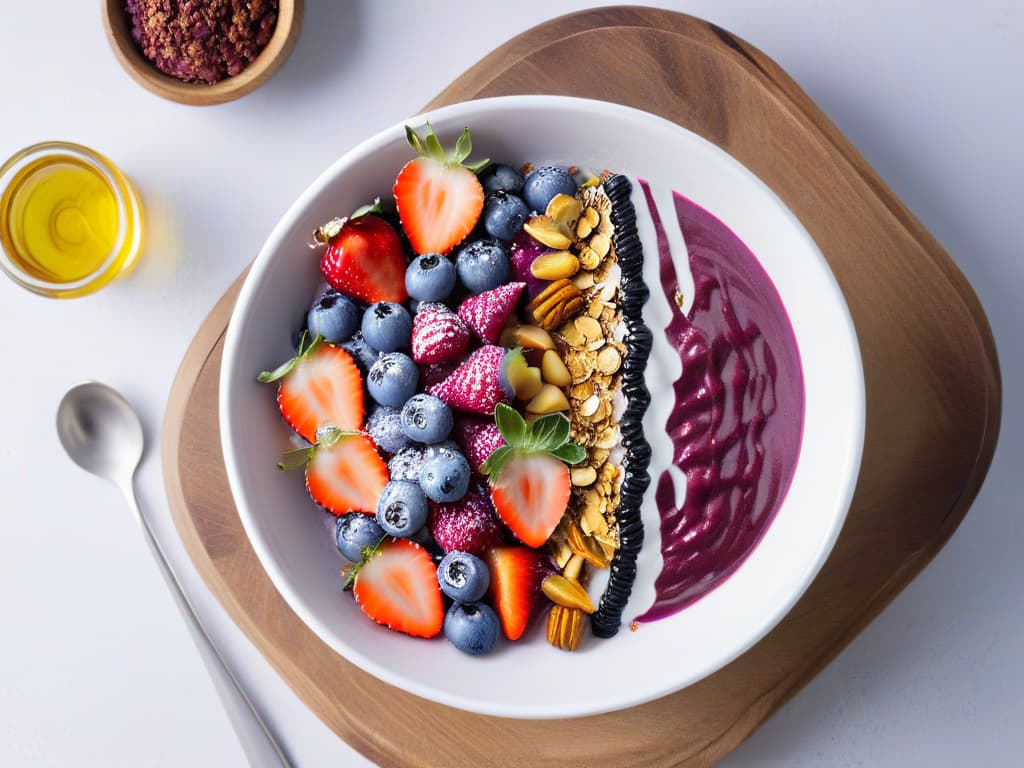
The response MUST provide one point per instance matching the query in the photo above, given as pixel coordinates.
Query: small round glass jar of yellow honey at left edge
(70, 221)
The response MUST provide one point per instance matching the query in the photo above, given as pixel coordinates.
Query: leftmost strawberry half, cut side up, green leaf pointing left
(320, 388)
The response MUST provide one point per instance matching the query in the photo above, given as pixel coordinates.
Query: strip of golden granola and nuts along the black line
(581, 309)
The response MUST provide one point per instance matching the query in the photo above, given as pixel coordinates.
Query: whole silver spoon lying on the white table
(102, 434)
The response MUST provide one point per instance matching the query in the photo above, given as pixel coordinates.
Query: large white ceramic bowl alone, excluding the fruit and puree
(530, 679)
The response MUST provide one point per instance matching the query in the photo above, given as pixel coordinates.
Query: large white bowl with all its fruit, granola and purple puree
(541, 407)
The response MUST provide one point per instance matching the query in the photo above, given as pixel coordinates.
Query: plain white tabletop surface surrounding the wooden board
(96, 667)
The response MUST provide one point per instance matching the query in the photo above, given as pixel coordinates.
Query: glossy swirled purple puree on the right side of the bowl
(738, 419)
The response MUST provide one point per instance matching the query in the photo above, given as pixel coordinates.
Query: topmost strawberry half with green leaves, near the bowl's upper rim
(440, 200)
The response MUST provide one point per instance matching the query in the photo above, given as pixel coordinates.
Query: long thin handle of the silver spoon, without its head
(259, 744)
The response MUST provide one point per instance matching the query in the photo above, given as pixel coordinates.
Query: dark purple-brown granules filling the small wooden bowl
(202, 41)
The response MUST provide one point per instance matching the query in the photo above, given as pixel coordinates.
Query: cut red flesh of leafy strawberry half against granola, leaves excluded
(531, 496)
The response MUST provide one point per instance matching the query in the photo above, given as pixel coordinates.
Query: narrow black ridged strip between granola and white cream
(609, 617)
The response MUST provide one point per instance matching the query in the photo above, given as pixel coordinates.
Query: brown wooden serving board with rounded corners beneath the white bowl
(933, 413)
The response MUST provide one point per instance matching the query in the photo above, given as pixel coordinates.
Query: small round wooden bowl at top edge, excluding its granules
(146, 73)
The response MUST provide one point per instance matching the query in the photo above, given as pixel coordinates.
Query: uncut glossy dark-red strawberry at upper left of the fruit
(365, 260)
